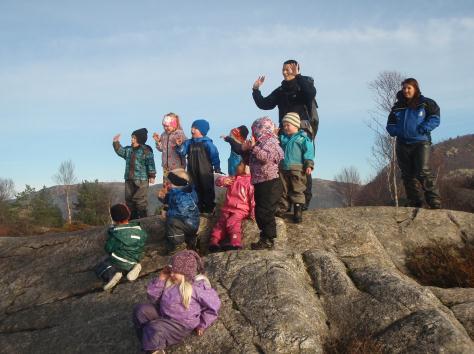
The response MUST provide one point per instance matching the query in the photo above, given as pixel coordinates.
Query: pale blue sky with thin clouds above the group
(73, 74)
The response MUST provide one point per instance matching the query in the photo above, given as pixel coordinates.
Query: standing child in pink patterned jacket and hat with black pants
(264, 157)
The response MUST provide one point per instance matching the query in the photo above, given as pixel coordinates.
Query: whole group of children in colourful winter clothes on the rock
(267, 175)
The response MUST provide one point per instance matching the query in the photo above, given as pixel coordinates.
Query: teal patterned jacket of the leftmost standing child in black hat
(139, 161)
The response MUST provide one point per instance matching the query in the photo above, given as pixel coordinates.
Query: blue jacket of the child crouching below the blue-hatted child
(182, 204)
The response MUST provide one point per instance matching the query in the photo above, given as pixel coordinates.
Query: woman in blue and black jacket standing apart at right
(411, 120)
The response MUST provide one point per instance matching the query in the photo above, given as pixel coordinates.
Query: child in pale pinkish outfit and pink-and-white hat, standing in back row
(166, 144)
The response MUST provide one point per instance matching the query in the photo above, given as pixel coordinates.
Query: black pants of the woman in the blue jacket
(413, 160)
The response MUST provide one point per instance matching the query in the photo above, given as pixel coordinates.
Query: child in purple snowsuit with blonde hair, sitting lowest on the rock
(182, 301)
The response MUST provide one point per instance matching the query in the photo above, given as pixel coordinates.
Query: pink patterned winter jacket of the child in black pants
(264, 159)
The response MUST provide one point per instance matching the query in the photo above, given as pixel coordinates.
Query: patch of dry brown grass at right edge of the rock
(443, 265)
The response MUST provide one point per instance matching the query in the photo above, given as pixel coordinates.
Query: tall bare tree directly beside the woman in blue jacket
(384, 89)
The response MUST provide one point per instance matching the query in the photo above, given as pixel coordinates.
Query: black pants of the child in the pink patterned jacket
(267, 195)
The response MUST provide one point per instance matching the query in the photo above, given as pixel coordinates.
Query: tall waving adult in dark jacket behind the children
(296, 94)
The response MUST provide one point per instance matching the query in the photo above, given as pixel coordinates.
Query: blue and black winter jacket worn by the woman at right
(413, 125)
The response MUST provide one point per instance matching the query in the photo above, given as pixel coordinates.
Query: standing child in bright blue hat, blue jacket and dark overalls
(203, 160)
